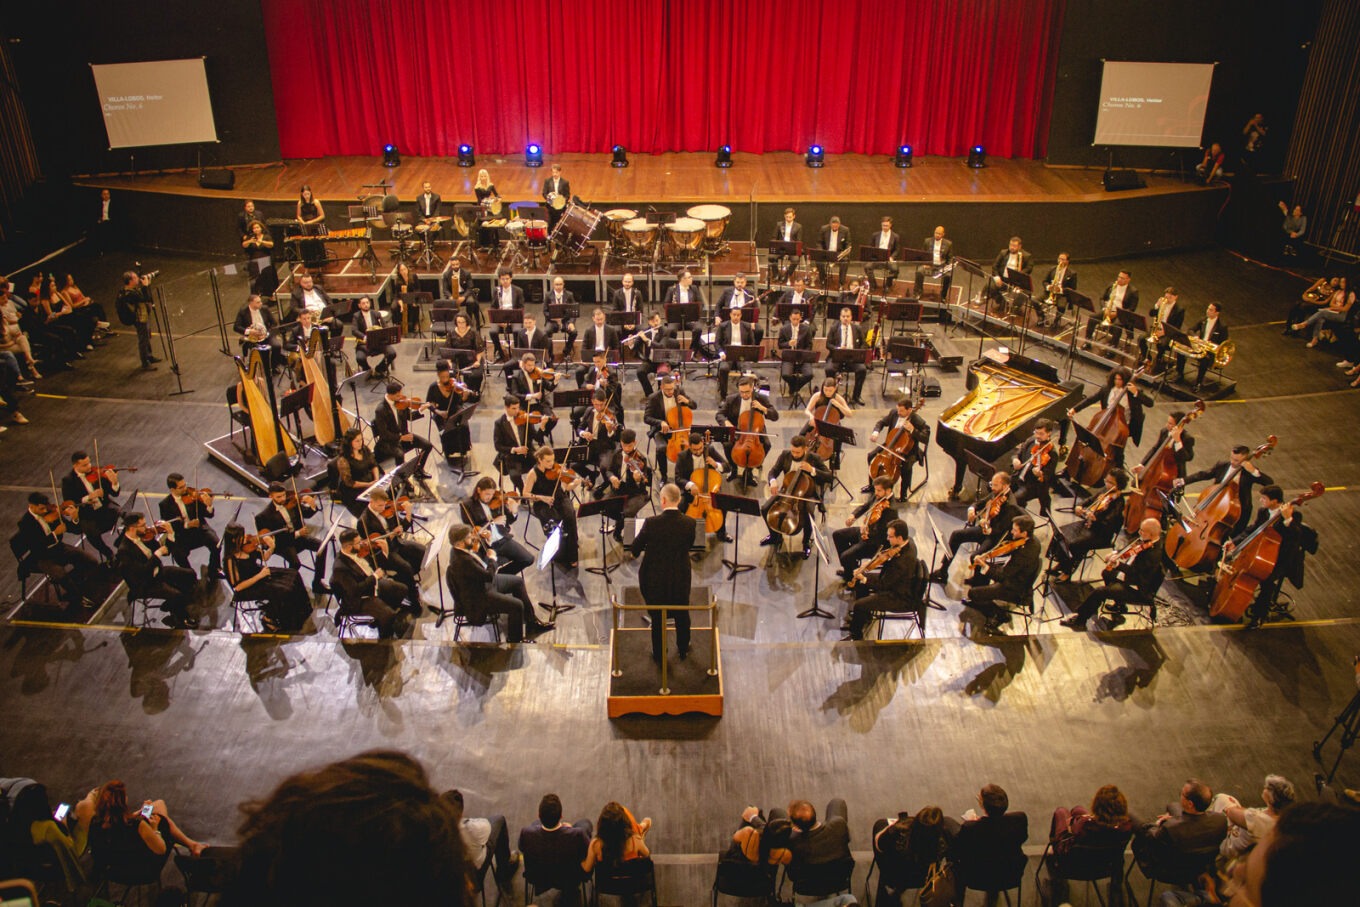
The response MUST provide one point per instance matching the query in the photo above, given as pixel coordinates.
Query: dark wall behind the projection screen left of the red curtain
(55, 43)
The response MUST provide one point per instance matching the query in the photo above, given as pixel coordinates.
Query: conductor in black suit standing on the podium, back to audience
(664, 576)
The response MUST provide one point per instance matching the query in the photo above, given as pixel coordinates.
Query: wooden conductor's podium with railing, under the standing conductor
(640, 686)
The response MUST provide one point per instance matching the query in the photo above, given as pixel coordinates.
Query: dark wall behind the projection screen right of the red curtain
(1256, 43)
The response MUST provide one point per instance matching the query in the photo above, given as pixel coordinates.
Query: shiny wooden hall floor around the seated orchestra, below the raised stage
(209, 719)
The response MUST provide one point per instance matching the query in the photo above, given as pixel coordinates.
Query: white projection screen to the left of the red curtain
(161, 103)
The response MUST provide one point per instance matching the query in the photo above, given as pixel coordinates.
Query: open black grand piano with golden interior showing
(1007, 395)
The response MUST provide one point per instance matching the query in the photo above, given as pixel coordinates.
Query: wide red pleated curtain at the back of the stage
(663, 75)
